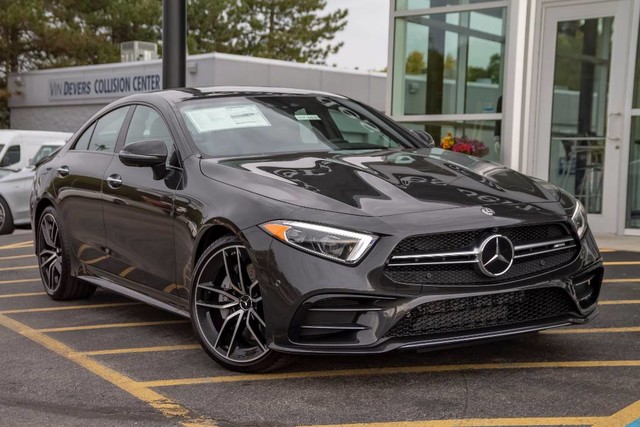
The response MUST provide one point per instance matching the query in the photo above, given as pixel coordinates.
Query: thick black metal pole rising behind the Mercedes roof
(174, 43)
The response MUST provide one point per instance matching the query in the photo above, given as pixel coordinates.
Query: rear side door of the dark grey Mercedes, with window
(78, 184)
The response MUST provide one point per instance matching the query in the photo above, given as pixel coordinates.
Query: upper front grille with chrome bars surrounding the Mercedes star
(450, 259)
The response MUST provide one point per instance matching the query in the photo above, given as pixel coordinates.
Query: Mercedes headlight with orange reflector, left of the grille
(333, 243)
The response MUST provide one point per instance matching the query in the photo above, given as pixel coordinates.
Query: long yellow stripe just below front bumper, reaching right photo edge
(391, 370)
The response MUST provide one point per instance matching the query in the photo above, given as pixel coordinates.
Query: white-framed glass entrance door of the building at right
(584, 61)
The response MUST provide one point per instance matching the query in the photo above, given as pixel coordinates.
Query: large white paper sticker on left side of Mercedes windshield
(224, 118)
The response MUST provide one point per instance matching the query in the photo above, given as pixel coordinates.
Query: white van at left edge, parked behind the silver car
(18, 147)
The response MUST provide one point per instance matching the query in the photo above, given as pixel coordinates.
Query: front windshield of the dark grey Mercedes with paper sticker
(264, 124)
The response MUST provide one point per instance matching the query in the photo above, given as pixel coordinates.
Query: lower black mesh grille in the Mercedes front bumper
(480, 312)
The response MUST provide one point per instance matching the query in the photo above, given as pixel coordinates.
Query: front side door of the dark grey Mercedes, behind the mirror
(138, 210)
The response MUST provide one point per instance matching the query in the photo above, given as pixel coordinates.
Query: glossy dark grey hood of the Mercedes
(380, 183)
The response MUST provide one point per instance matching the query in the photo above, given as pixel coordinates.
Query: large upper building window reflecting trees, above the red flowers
(449, 63)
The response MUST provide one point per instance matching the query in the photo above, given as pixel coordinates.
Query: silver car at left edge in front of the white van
(15, 188)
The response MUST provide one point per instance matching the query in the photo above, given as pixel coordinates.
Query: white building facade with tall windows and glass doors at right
(550, 86)
